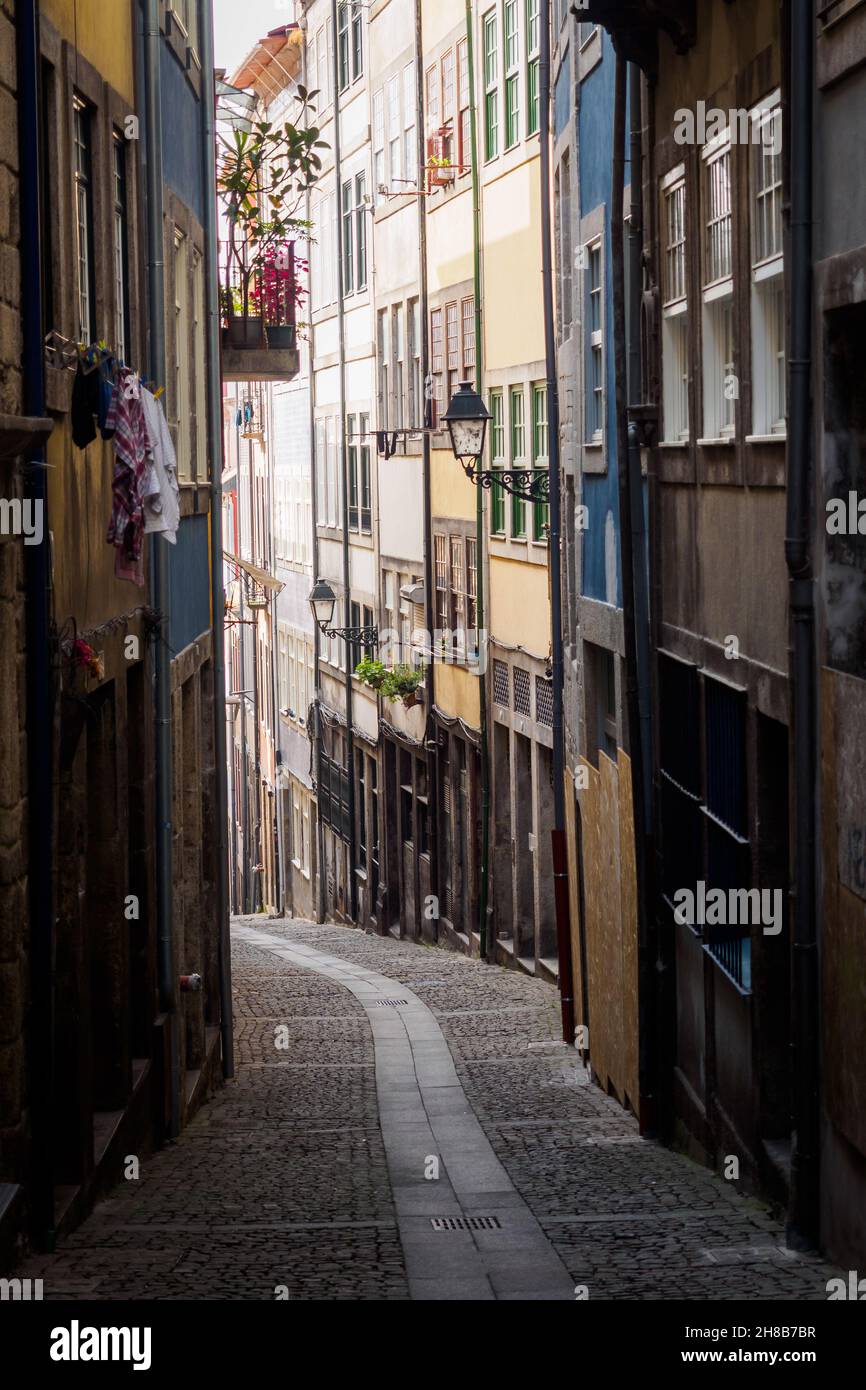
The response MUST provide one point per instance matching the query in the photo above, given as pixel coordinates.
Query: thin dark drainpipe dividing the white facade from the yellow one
(433, 754)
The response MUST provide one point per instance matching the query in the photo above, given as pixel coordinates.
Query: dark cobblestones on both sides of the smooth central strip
(283, 1181)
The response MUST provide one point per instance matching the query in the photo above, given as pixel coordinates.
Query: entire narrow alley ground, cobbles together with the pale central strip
(295, 1179)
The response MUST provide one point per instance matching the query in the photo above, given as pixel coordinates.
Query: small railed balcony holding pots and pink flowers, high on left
(259, 302)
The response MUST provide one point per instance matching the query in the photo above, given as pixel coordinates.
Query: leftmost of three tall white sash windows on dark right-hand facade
(675, 311)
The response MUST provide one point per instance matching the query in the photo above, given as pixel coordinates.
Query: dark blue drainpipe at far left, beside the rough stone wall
(40, 683)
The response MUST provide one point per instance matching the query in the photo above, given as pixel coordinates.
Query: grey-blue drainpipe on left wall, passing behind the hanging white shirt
(161, 579)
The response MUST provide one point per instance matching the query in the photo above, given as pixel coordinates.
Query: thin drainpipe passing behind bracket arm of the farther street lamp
(341, 326)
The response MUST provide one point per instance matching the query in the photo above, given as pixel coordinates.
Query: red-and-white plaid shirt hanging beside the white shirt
(134, 479)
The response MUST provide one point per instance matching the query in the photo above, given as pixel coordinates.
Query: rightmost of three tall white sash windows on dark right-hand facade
(768, 276)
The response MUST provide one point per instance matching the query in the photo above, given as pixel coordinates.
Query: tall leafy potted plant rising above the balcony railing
(263, 179)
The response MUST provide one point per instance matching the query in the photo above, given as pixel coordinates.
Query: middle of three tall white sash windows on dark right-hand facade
(719, 384)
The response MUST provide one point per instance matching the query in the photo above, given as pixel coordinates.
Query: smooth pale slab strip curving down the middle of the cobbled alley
(468, 1234)
